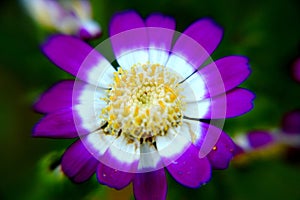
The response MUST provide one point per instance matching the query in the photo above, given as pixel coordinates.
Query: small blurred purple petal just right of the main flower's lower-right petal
(259, 139)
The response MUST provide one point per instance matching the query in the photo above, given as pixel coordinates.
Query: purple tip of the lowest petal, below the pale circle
(150, 185)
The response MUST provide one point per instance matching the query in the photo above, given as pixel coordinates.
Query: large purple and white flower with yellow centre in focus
(159, 109)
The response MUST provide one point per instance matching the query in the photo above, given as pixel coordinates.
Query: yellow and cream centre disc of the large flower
(143, 102)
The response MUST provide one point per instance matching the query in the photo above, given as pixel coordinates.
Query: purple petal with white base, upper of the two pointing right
(218, 77)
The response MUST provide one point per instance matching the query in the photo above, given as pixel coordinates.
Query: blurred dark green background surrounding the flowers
(268, 32)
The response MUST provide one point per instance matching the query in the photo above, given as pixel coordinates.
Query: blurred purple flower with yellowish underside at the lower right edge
(266, 143)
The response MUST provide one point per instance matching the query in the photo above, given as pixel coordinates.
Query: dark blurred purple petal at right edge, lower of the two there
(291, 122)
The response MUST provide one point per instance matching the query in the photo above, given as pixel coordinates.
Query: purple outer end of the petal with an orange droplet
(222, 152)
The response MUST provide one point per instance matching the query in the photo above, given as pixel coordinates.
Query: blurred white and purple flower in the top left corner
(68, 17)
